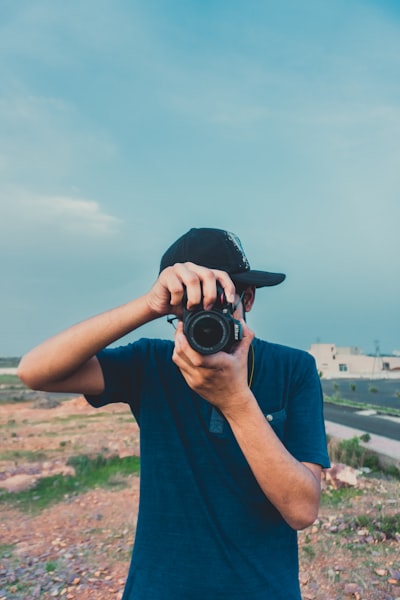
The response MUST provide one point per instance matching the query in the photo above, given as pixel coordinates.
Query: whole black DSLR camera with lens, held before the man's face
(210, 331)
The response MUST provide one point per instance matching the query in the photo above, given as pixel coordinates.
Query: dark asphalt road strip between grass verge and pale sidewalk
(371, 423)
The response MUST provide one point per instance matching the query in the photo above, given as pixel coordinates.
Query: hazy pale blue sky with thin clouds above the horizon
(125, 123)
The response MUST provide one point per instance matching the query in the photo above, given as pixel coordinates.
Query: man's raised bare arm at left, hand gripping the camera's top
(67, 362)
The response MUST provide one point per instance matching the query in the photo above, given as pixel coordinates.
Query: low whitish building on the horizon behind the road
(335, 361)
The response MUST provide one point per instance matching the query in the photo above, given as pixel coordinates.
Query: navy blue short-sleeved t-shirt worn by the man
(205, 529)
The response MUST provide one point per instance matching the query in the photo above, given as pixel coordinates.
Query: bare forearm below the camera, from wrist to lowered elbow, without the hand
(292, 487)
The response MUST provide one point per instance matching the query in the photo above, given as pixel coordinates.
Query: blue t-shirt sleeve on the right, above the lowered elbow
(305, 436)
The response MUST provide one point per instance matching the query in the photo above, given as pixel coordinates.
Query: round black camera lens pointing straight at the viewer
(207, 332)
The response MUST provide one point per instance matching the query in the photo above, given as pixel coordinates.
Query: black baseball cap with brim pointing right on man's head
(218, 249)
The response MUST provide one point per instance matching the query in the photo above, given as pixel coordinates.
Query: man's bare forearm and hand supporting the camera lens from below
(292, 487)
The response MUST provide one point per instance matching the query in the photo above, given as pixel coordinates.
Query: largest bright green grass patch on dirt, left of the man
(89, 473)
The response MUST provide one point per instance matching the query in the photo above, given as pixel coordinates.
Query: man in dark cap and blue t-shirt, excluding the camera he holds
(232, 443)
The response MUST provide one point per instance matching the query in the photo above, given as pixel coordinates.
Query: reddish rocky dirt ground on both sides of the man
(80, 548)
